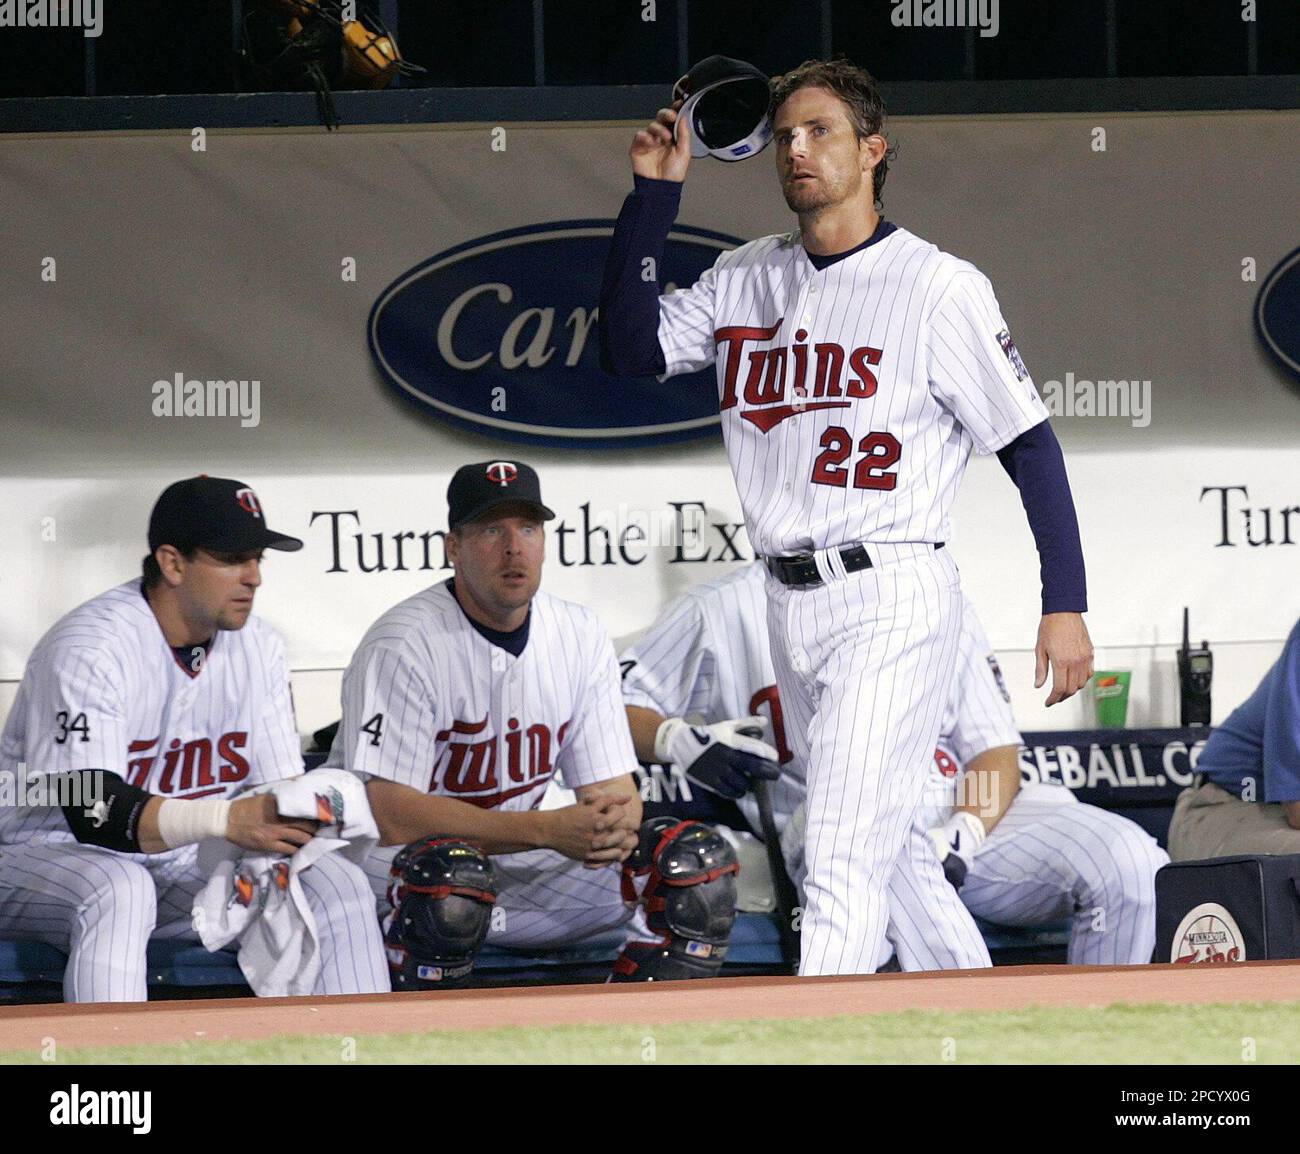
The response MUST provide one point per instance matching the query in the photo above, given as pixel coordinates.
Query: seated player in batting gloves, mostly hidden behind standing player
(982, 844)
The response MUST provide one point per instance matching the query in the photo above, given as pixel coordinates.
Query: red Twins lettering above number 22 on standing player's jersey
(765, 379)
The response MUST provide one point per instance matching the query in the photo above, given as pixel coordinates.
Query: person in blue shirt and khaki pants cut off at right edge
(1246, 797)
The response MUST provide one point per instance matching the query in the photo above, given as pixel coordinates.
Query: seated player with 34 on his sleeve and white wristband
(162, 699)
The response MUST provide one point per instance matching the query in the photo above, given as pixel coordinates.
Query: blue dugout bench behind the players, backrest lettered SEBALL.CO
(1133, 773)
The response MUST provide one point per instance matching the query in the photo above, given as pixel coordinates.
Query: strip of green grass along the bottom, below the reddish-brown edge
(1162, 1035)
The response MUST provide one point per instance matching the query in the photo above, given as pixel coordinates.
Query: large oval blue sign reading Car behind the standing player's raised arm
(499, 336)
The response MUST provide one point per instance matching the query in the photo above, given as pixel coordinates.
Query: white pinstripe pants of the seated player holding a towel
(102, 909)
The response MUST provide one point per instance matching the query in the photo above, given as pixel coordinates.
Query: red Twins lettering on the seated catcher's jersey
(467, 770)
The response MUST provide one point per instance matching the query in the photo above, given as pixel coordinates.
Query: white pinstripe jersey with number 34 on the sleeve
(105, 691)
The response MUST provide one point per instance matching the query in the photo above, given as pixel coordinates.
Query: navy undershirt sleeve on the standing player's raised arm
(629, 328)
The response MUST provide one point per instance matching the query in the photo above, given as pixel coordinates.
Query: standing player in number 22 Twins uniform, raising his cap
(857, 368)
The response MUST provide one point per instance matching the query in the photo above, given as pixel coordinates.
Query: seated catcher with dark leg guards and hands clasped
(460, 708)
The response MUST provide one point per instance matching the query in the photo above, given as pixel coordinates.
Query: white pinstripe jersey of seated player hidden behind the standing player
(709, 656)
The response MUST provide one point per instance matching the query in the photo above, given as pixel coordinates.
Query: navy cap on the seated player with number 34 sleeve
(215, 514)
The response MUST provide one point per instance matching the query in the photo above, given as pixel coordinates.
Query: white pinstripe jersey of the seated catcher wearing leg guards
(431, 704)
